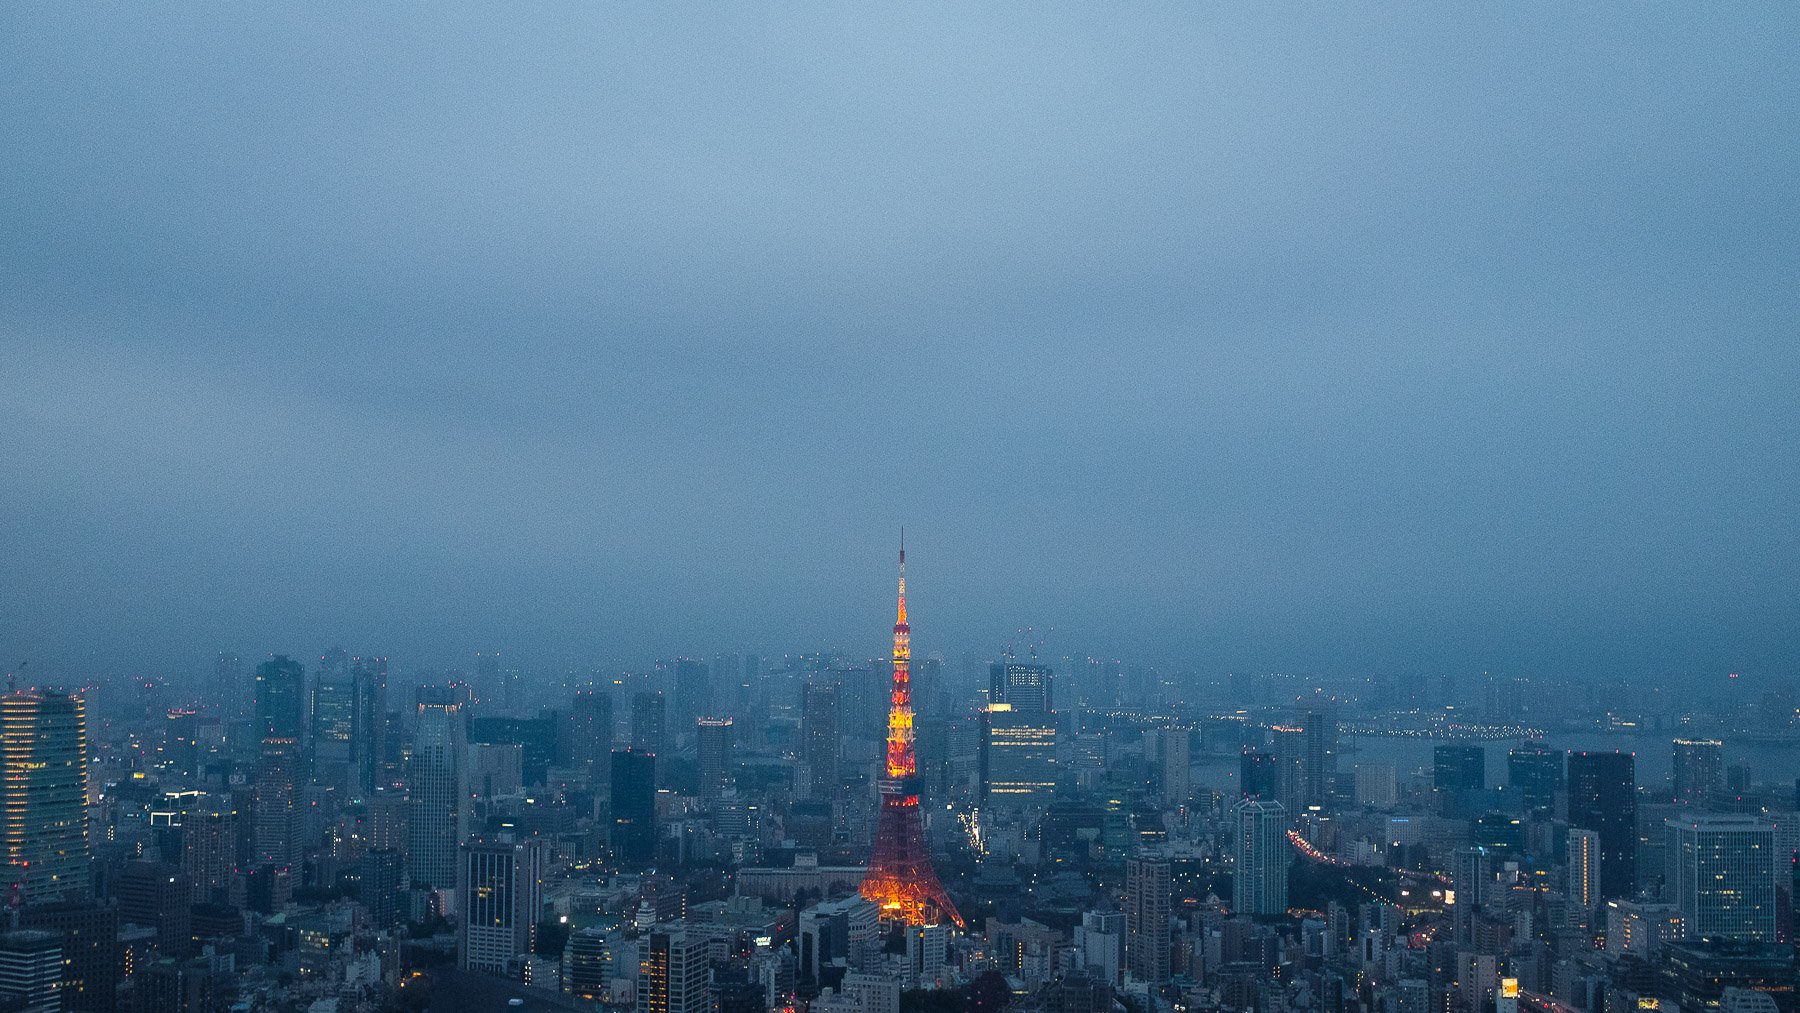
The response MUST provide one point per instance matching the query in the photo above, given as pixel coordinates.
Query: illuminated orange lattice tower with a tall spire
(901, 877)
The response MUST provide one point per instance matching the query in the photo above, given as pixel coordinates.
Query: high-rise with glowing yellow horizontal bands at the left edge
(44, 767)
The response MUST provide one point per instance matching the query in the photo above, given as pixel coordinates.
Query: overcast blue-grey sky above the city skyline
(1223, 337)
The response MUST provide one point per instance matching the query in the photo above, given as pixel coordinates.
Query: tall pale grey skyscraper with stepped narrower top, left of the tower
(438, 789)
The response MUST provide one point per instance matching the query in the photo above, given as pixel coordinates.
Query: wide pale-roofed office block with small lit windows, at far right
(1722, 877)
